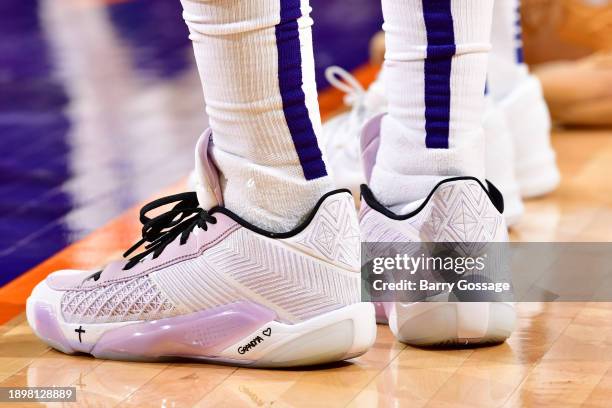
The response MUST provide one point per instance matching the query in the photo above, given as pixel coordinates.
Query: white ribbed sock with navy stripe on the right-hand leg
(435, 71)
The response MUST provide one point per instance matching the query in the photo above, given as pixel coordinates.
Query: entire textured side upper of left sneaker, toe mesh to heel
(311, 273)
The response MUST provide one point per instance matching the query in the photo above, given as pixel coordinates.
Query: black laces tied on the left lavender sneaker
(158, 232)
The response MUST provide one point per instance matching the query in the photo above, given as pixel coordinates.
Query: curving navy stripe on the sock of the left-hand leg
(294, 100)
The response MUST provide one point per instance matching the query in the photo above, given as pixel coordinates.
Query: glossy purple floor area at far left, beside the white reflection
(33, 147)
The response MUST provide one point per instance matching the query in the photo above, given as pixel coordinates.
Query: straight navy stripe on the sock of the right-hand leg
(440, 50)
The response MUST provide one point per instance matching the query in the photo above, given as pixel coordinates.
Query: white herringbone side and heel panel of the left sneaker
(300, 277)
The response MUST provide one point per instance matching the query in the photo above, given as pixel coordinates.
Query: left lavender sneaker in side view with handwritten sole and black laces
(210, 286)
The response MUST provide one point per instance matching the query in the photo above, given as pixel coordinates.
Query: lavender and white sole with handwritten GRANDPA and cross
(338, 335)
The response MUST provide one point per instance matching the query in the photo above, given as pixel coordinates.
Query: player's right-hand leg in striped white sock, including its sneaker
(435, 70)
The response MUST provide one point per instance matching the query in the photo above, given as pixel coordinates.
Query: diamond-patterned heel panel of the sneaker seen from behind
(463, 223)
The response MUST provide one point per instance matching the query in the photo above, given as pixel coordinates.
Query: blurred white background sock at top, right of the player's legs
(506, 64)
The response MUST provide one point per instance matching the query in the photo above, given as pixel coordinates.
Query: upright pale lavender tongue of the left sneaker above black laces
(208, 187)
